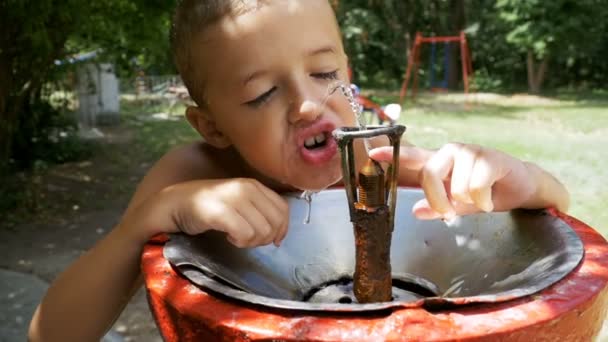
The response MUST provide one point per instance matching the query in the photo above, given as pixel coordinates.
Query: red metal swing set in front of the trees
(414, 63)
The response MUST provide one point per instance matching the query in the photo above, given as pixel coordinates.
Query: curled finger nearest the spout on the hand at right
(432, 175)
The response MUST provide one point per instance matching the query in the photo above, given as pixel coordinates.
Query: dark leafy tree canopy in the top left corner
(36, 33)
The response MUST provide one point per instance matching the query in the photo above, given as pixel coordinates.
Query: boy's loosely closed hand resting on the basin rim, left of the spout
(248, 212)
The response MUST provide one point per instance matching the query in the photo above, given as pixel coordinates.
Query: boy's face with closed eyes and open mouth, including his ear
(265, 75)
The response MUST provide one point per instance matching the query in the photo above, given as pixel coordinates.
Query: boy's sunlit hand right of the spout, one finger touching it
(461, 179)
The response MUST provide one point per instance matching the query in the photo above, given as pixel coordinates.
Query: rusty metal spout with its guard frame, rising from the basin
(372, 218)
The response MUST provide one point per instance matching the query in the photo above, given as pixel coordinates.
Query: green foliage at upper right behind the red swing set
(572, 33)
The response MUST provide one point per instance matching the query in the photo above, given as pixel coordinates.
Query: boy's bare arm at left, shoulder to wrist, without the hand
(84, 301)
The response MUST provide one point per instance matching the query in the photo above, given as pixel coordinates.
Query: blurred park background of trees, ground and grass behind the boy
(89, 99)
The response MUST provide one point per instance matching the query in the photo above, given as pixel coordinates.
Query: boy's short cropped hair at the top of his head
(190, 19)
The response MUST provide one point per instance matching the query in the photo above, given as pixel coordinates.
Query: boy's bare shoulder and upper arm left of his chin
(190, 162)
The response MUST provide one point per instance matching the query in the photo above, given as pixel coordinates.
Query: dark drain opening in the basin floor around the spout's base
(340, 291)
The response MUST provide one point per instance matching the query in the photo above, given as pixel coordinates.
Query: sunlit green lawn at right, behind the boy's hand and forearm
(567, 138)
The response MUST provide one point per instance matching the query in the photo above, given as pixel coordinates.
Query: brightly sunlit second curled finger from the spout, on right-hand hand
(464, 161)
